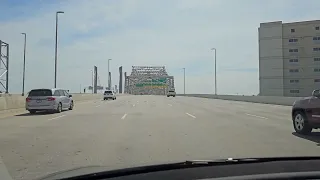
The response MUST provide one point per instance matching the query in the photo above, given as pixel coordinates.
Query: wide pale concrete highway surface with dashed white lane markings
(139, 130)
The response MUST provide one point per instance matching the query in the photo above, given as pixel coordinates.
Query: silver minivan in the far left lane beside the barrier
(48, 100)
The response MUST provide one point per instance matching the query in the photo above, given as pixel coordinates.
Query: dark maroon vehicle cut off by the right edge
(306, 113)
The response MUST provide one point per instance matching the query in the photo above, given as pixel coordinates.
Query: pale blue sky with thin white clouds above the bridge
(172, 33)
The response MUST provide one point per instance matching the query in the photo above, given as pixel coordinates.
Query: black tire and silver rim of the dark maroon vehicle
(300, 123)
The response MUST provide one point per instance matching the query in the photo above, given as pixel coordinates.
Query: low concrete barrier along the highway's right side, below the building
(287, 101)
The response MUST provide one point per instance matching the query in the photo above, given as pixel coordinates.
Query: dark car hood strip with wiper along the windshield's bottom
(94, 171)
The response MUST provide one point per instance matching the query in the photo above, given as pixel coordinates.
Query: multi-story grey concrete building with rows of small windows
(289, 58)
